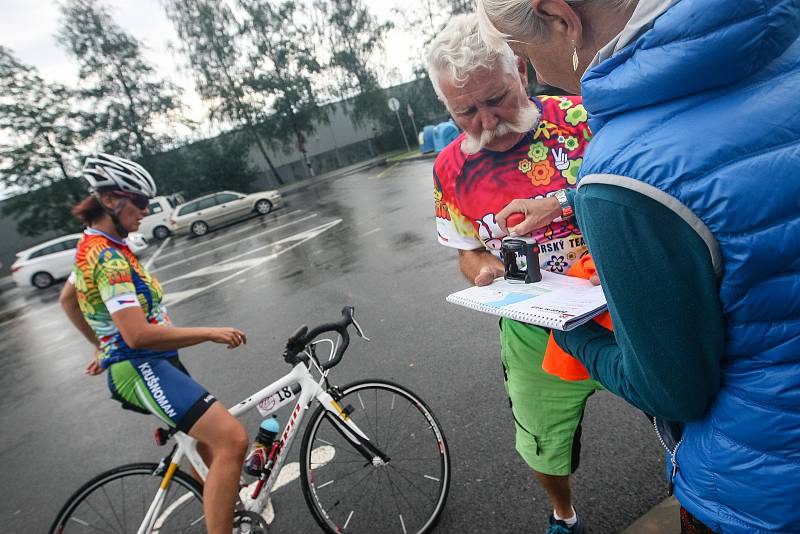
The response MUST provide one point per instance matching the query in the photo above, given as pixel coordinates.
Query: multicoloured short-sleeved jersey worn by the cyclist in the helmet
(108, 278)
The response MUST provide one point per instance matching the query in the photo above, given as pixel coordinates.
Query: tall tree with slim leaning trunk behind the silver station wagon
(209, 38)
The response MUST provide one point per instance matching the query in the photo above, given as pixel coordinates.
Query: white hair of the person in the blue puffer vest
(499, 20)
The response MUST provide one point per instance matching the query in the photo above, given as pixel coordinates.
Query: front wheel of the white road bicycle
(348, 492)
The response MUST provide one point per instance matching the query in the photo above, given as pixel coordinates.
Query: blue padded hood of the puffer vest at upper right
(696, 45)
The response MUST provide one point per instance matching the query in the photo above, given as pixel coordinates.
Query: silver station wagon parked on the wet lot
(199, 215)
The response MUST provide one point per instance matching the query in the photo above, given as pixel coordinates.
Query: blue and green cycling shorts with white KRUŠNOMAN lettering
(162, 387)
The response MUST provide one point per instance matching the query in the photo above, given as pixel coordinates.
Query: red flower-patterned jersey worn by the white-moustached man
(470, 189)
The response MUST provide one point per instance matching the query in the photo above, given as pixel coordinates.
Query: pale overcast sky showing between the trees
(28, 28)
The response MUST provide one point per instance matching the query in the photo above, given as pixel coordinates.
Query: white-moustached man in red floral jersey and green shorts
(514, 147)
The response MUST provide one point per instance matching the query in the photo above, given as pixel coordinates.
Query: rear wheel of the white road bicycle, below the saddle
(67, 522)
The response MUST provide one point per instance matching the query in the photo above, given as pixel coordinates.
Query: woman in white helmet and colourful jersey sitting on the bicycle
(120, 305)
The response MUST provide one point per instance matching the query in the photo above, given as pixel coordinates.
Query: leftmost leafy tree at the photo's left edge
(38, 142)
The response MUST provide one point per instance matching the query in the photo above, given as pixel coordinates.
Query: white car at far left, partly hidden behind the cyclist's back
(45, 263)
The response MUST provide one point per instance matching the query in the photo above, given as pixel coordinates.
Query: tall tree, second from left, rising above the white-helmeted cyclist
(127, 97)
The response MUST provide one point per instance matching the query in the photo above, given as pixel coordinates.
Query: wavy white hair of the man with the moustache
(458, 51)
